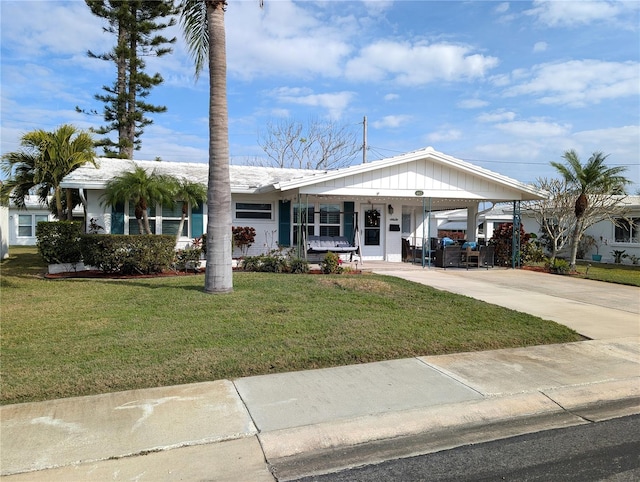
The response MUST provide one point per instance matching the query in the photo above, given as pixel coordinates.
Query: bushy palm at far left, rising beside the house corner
(44, 160)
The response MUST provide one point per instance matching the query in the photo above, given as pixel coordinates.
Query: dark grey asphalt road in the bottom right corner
(602, 451)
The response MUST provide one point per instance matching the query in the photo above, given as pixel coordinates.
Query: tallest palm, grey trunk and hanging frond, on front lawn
(204, 31)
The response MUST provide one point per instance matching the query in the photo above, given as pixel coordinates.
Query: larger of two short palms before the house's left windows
(143, 190)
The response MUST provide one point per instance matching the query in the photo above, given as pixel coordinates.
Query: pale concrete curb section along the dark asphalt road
(332, 446)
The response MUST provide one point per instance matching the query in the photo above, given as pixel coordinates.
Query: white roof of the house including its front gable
(424, 173)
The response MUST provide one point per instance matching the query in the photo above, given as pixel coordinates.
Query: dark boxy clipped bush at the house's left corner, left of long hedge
(59, 241)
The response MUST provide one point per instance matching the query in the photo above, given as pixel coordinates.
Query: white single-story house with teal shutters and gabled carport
(374, 205)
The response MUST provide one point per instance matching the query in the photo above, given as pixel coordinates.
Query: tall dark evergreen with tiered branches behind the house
(136, 25)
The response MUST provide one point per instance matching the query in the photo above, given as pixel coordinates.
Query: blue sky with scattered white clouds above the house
(508, 86)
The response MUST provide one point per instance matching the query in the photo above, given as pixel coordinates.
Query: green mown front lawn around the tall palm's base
(72, 337)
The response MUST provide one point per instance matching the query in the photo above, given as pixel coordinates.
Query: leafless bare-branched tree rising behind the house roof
(317, 145)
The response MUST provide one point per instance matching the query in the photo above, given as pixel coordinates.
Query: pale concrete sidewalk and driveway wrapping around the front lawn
(299, 423)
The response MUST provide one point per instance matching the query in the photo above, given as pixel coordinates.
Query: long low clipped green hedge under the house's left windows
(128, 254)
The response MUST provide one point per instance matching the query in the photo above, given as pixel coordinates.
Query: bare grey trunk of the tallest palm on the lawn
(219, 274)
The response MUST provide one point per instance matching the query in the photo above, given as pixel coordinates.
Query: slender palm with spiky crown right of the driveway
(591, 179)
